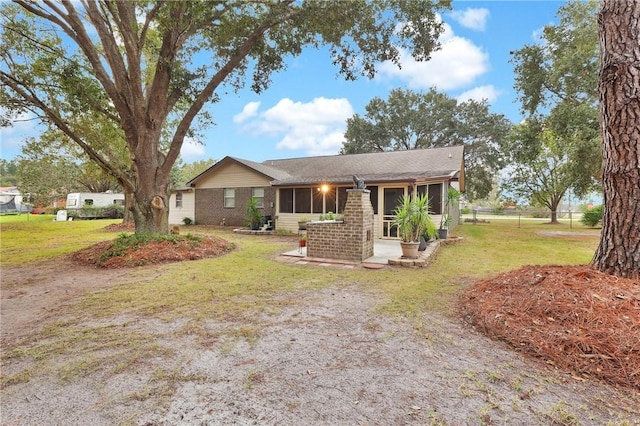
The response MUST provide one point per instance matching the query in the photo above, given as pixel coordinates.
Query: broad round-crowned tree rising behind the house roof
(432, 119)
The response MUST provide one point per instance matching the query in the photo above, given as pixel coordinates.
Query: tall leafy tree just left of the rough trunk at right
(556, 82)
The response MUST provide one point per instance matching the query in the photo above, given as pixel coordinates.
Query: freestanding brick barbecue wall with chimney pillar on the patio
(351, 239)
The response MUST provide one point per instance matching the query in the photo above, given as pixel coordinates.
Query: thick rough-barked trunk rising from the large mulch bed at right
(619, 29)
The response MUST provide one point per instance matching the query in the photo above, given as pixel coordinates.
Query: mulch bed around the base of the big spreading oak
(177, 249)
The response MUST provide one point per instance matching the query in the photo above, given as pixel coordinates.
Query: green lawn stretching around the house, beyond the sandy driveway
(250, 271)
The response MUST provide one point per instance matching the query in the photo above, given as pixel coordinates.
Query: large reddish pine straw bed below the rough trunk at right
(573, 317)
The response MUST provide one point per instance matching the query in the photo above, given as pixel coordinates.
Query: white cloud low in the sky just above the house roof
(316, 127)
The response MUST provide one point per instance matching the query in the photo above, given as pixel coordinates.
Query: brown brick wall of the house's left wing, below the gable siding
(209, 208)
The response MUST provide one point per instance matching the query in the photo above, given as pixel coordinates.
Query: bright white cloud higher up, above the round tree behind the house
(457, 64)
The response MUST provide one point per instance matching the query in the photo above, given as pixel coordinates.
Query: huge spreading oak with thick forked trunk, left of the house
(151, 67)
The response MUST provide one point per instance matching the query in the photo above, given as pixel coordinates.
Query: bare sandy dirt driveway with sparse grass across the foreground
(325, 357)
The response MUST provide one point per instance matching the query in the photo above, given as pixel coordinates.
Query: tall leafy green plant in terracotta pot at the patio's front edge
(413, 220)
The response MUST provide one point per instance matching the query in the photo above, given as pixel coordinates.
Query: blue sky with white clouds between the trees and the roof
(304, 111)
